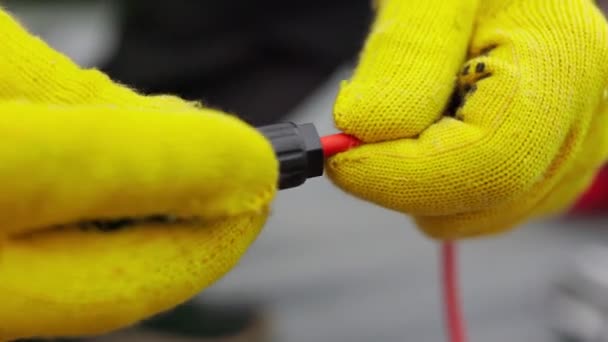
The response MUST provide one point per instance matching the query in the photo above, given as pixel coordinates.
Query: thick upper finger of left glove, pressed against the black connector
(63, 165)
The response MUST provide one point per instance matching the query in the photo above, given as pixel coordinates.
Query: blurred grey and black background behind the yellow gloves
(327, 267)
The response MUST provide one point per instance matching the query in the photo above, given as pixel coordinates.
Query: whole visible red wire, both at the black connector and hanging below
(454, 319)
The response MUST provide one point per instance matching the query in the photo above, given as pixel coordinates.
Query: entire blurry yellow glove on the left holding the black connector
(183, 191)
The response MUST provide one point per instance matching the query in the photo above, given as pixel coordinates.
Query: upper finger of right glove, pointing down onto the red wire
(407, 69)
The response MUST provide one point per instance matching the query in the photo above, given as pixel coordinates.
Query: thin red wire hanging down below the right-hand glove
(454, 318)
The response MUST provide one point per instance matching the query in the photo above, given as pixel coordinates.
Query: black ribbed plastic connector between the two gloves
(299, 151)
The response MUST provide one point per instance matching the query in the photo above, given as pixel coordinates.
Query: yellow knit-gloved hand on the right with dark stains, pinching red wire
(523, 134)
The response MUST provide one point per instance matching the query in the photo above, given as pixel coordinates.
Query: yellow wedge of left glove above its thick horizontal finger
(31, 71)
